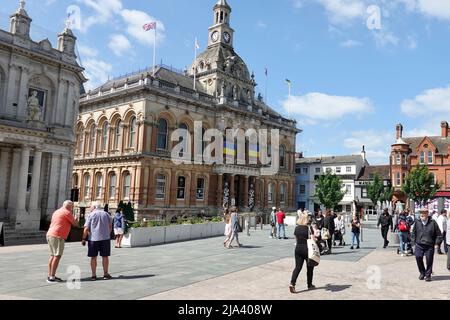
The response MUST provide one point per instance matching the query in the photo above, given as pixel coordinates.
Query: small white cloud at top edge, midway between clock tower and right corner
(344, 11)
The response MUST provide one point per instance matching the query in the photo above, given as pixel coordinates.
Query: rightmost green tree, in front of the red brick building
(420, 186)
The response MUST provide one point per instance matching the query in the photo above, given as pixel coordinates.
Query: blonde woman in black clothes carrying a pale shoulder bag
(305, 251)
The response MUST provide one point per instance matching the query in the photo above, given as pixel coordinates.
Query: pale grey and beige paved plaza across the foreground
(205, 270)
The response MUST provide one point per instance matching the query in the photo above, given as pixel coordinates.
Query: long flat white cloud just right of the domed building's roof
(319, 106)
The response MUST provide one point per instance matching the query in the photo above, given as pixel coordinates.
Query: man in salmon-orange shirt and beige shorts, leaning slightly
(62, 221)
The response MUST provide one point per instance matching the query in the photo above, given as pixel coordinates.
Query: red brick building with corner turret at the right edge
(433, 152)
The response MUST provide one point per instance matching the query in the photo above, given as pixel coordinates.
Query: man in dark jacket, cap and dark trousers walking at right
(426, 235)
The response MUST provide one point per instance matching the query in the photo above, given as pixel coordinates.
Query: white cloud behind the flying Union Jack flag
(135, 20)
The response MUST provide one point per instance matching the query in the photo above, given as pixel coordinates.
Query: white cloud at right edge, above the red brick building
(428, 102)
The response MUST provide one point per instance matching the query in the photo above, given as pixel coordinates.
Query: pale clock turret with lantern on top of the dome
(221, 32)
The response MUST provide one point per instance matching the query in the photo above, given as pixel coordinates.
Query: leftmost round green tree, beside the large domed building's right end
(329, 190)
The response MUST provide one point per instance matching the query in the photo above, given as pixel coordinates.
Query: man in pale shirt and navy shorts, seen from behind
(97, 230)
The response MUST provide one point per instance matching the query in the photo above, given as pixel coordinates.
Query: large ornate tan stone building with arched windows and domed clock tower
(124, 133)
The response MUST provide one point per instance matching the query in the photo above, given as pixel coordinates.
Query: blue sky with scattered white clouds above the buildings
(357, 67)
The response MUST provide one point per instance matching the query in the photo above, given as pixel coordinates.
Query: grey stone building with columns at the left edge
(39, 97)
